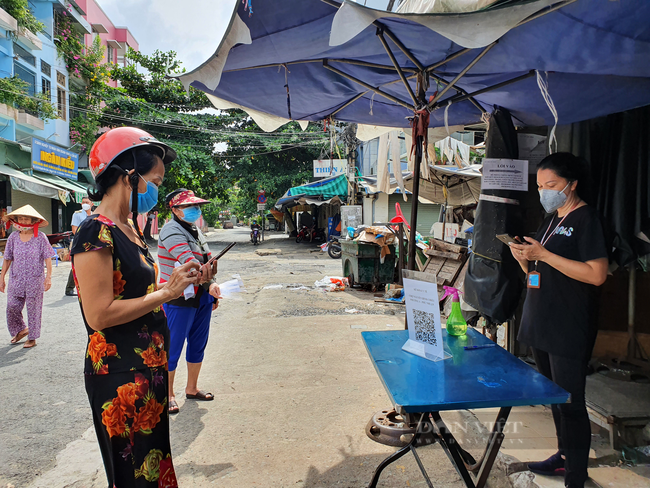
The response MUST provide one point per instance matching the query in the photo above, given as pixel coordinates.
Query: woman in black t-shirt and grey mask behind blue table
(565, 264)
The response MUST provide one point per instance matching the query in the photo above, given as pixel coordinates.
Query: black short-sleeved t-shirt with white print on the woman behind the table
(560, 317)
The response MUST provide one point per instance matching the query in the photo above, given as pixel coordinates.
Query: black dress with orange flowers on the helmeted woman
(126, 368)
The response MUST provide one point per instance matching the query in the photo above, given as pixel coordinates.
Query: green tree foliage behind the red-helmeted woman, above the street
(217, 152)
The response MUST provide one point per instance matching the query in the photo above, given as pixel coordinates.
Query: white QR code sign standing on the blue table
(423, 314)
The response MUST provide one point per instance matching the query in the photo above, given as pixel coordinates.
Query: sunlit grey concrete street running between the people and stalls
(293, 387)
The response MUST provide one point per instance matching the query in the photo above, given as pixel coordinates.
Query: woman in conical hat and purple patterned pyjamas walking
(26, 251)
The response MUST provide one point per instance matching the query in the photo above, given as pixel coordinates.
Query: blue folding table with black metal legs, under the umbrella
(480, 378)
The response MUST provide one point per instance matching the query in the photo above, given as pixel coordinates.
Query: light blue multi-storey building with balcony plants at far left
(33, 58)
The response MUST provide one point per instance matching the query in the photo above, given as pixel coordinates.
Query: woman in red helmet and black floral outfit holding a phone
(128, 338)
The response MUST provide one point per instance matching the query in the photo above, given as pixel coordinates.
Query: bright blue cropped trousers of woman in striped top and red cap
(191, 324)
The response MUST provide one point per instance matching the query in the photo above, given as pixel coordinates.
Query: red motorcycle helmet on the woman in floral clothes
(114, 142)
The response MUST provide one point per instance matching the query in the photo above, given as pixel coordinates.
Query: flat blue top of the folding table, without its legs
(479, 378)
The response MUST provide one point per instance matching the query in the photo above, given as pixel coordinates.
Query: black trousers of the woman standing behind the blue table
(571, 419)
